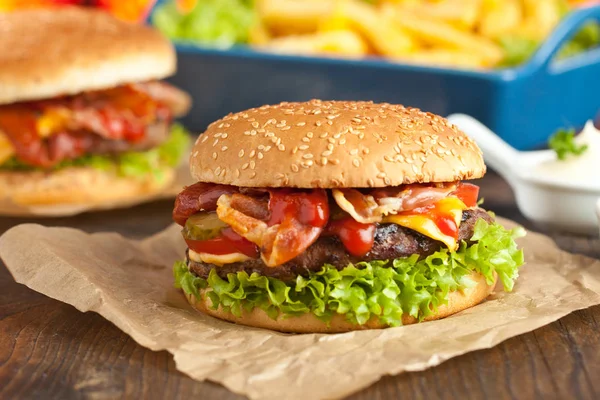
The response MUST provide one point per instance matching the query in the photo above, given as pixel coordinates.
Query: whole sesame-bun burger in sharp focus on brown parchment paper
(331, 216)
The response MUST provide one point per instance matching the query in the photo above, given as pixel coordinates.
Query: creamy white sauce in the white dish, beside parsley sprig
(584, 168)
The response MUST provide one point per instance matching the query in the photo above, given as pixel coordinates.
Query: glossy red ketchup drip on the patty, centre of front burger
(356, 237)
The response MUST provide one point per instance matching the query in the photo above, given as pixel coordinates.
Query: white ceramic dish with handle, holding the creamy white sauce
(555, 203)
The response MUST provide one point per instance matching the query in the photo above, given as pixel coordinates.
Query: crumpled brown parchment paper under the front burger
(129, 283)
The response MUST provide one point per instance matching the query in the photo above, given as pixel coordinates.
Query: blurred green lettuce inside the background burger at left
(138, 164)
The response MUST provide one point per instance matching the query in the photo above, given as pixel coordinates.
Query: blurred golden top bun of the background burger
(57, 51)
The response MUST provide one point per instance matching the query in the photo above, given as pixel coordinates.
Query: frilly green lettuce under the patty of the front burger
(383, 289)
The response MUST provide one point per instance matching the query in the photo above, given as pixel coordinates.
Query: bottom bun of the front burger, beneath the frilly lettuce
(309, 323)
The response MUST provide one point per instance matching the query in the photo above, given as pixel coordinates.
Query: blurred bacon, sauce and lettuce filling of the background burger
(117, 126)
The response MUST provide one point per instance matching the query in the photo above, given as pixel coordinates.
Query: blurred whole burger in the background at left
(84, 117)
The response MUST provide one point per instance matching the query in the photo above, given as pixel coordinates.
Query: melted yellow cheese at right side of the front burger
(425, 225)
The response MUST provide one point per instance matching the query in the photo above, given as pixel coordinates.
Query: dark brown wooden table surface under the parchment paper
(50, 350)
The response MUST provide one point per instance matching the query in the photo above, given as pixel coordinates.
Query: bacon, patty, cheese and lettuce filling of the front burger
(357, 252)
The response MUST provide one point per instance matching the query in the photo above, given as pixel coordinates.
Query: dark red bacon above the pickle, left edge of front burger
(198, 197)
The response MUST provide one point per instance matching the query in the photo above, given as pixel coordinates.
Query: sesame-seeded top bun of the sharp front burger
(331, 144)
